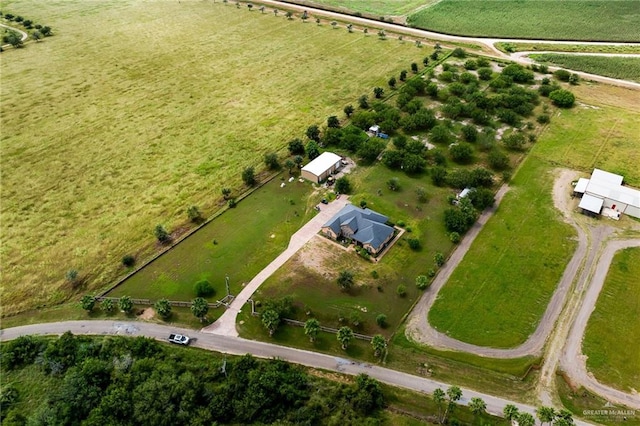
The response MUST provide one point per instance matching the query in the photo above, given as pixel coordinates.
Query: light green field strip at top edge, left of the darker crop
(373, 7)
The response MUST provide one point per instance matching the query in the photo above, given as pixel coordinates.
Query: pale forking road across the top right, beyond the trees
(485, 41)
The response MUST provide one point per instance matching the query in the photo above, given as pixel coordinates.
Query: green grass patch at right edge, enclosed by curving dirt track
(613, 328)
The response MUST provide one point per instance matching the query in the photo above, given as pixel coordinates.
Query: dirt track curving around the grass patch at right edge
(572, 361)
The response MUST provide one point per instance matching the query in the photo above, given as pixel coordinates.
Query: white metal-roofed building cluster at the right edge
(605, 190)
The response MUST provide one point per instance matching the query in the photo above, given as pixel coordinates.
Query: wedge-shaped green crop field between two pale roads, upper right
(617, 67)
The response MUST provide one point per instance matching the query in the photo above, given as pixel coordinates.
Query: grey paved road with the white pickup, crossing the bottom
(238, 346)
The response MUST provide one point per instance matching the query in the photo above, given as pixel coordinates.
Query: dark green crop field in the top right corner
(590, 20)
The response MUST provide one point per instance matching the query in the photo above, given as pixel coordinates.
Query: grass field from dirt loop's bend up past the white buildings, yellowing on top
(490, 299)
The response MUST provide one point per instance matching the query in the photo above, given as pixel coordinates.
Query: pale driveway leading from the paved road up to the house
(226, 324)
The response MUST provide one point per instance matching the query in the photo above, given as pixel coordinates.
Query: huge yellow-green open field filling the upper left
(136, 110)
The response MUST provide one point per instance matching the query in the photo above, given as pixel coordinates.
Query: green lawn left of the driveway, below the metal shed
(246, 239)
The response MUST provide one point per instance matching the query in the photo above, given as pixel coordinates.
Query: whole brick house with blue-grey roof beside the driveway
(366, 227)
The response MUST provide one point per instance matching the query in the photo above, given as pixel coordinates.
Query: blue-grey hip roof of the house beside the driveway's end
(368, 226)
